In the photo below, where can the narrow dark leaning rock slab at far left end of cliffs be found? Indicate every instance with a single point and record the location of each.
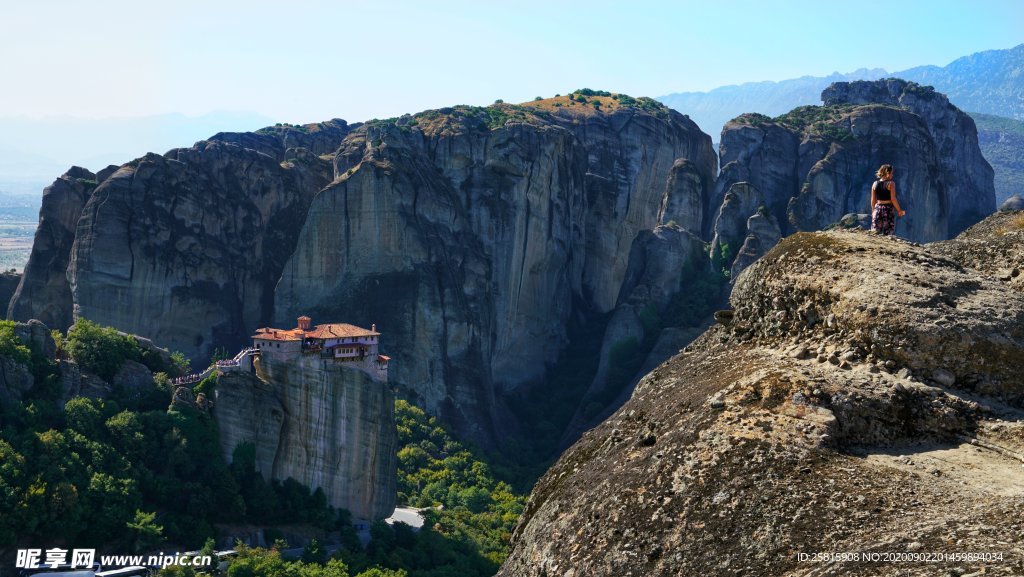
(45, 294)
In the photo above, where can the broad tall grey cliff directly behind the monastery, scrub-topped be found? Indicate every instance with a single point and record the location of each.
(472, 249)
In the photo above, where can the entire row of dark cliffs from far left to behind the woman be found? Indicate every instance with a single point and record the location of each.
(475, 237)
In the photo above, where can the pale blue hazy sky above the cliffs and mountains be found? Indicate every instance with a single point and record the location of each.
(304, 61)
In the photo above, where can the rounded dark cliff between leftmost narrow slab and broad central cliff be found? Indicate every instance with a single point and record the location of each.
(187, 249)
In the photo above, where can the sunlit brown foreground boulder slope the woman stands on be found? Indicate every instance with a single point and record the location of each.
(862, 399)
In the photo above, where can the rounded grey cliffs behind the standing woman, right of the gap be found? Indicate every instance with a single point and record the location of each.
(810, 168)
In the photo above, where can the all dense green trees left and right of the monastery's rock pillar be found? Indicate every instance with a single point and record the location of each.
(133, 474)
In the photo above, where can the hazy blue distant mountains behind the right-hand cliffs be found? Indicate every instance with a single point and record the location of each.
(990, 83)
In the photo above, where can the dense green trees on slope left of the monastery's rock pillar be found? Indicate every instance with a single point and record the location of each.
(126, 471)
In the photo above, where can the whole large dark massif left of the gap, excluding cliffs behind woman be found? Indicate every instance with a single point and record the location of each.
(468, 235)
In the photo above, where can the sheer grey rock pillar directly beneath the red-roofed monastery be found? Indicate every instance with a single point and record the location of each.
(319, 423)
